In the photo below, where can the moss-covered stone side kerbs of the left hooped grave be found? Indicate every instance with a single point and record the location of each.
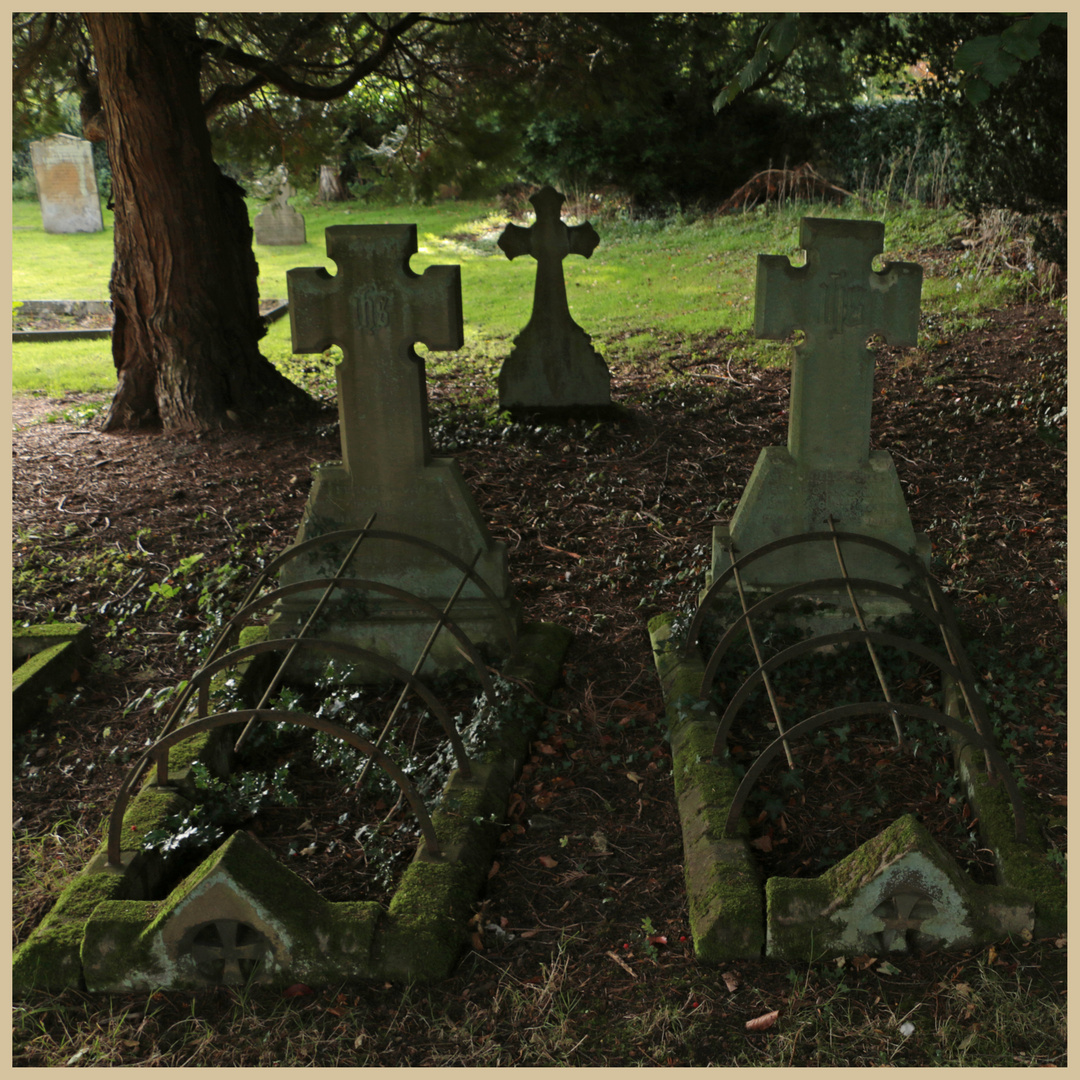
(418, 938)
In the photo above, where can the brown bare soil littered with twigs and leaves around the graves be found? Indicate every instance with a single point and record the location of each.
(606, 525)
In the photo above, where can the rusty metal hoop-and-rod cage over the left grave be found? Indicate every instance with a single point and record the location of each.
(222, 657)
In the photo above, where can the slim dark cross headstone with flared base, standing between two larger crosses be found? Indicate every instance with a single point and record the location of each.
(553, 366)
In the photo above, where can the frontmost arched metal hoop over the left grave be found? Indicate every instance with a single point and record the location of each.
(160, 749)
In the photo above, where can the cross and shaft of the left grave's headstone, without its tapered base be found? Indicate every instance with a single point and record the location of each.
(376, 309)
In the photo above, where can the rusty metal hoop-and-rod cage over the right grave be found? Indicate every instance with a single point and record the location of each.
(931, 605)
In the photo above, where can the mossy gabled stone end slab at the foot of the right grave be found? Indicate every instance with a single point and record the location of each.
(899, 893)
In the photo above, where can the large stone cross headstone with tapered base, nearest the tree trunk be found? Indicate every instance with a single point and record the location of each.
(376, 309)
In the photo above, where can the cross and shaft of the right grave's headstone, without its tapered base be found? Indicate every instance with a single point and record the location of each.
(839, 302)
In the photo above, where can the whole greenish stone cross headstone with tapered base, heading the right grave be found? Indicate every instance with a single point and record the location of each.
(828, 467)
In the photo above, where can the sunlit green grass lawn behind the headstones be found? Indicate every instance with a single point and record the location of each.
(646, 285)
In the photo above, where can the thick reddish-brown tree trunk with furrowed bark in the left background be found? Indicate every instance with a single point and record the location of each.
(184, 287)
